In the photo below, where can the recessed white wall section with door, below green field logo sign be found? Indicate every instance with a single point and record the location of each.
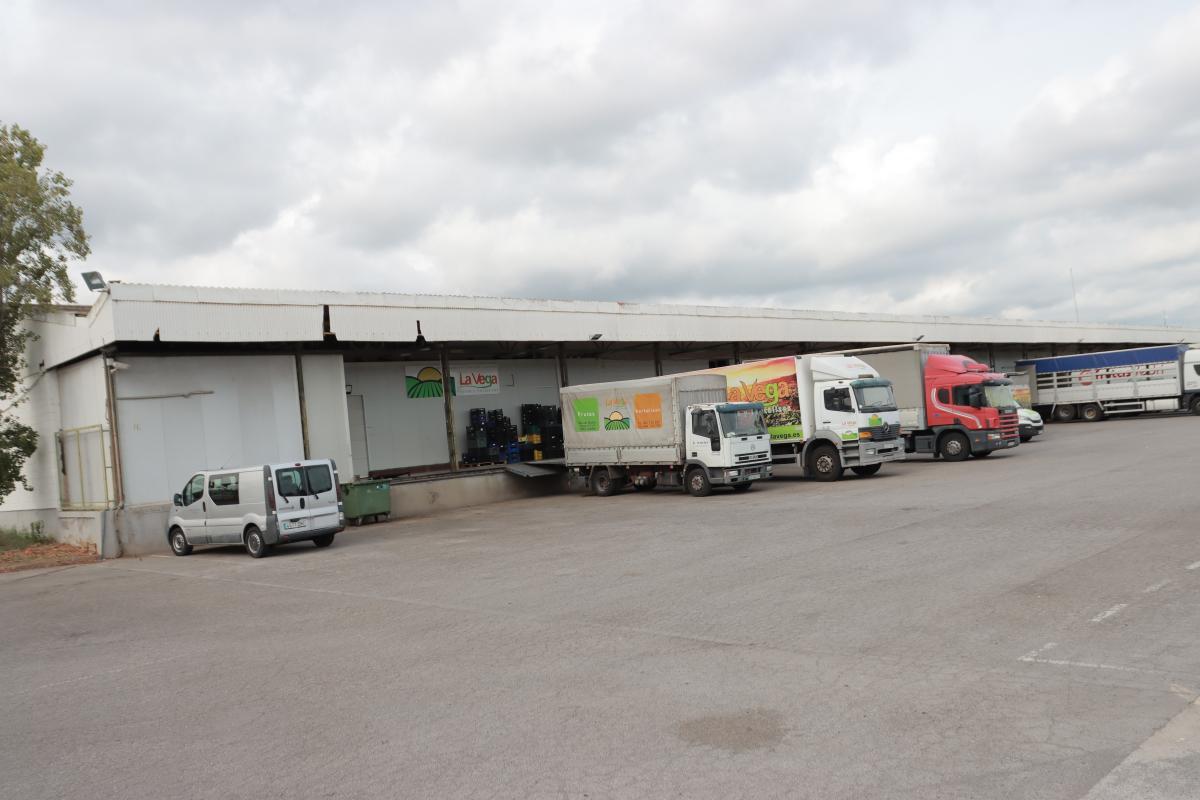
(400, 431)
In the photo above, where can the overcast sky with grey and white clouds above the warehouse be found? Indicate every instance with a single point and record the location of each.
(931, 158)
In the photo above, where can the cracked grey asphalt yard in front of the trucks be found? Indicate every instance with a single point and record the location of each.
(1011, 628)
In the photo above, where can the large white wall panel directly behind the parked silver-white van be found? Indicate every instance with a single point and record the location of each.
(182, 414)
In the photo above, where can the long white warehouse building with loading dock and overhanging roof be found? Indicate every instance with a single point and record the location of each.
(148, 386)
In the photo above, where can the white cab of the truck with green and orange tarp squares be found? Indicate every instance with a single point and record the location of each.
(728, 444)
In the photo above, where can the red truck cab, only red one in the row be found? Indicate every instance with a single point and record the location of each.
(970, 411)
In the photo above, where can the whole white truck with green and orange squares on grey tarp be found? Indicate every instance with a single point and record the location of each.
(668, 431)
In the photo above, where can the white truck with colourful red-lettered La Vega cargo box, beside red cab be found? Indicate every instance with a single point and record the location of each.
(825, 412)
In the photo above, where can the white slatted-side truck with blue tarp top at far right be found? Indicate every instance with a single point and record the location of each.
(1093, 386)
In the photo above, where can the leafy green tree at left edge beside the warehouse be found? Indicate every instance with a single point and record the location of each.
(41, 232)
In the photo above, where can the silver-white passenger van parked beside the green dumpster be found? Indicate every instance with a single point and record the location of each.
(259, 508)
